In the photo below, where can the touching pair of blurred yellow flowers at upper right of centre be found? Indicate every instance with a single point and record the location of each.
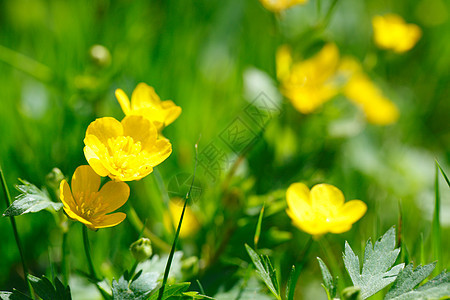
(310, 83)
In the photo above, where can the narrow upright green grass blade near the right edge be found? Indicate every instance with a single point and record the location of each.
(436, 229)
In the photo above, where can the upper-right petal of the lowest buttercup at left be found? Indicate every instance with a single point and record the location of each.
(114, 195)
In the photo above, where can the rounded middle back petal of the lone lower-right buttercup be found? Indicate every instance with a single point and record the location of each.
(326, 196)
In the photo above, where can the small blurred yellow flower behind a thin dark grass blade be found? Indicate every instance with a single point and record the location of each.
(190, 223)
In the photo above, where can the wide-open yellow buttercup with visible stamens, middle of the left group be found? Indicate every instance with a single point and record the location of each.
(126, 150)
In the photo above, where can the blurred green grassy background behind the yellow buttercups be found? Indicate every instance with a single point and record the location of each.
(61, 61)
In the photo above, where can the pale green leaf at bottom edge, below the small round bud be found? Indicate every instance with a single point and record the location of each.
(138, 288)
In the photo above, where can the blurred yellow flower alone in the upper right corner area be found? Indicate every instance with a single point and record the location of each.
(391, 32)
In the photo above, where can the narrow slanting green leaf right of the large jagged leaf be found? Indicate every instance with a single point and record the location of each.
(408, 279)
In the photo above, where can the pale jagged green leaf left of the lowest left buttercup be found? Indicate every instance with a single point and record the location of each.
(31, 200)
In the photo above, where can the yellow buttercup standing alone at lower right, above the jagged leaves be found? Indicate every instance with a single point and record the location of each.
(322, 209)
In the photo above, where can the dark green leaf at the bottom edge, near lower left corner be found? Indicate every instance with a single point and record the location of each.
(47, 291)
